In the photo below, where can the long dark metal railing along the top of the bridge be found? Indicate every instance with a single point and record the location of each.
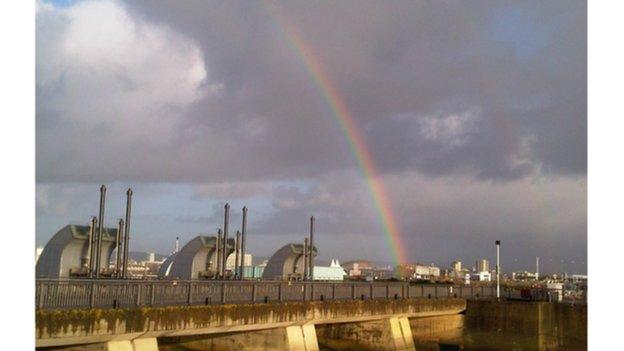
(75, 293)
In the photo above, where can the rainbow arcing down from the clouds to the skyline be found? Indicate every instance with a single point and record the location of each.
(353, 136)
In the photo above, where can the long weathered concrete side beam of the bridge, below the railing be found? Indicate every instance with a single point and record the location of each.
(82, 326)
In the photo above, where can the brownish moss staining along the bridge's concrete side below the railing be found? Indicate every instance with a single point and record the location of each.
(86, 322)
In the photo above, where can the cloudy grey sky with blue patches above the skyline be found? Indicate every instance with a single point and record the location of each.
(474, 113)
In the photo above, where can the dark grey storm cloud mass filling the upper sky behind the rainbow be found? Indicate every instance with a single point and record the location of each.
(259, 116)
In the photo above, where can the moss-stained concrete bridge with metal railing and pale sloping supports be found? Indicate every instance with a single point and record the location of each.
(147, 316)
